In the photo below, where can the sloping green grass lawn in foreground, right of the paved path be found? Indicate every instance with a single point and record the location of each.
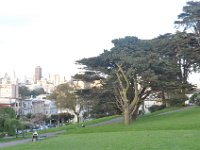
(177, 129)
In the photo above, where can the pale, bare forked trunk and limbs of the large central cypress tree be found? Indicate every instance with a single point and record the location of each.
(130, 107)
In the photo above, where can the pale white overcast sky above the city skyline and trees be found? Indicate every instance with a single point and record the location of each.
(55, 33)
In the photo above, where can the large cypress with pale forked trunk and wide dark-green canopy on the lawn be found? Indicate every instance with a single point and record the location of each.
(133, 64)
